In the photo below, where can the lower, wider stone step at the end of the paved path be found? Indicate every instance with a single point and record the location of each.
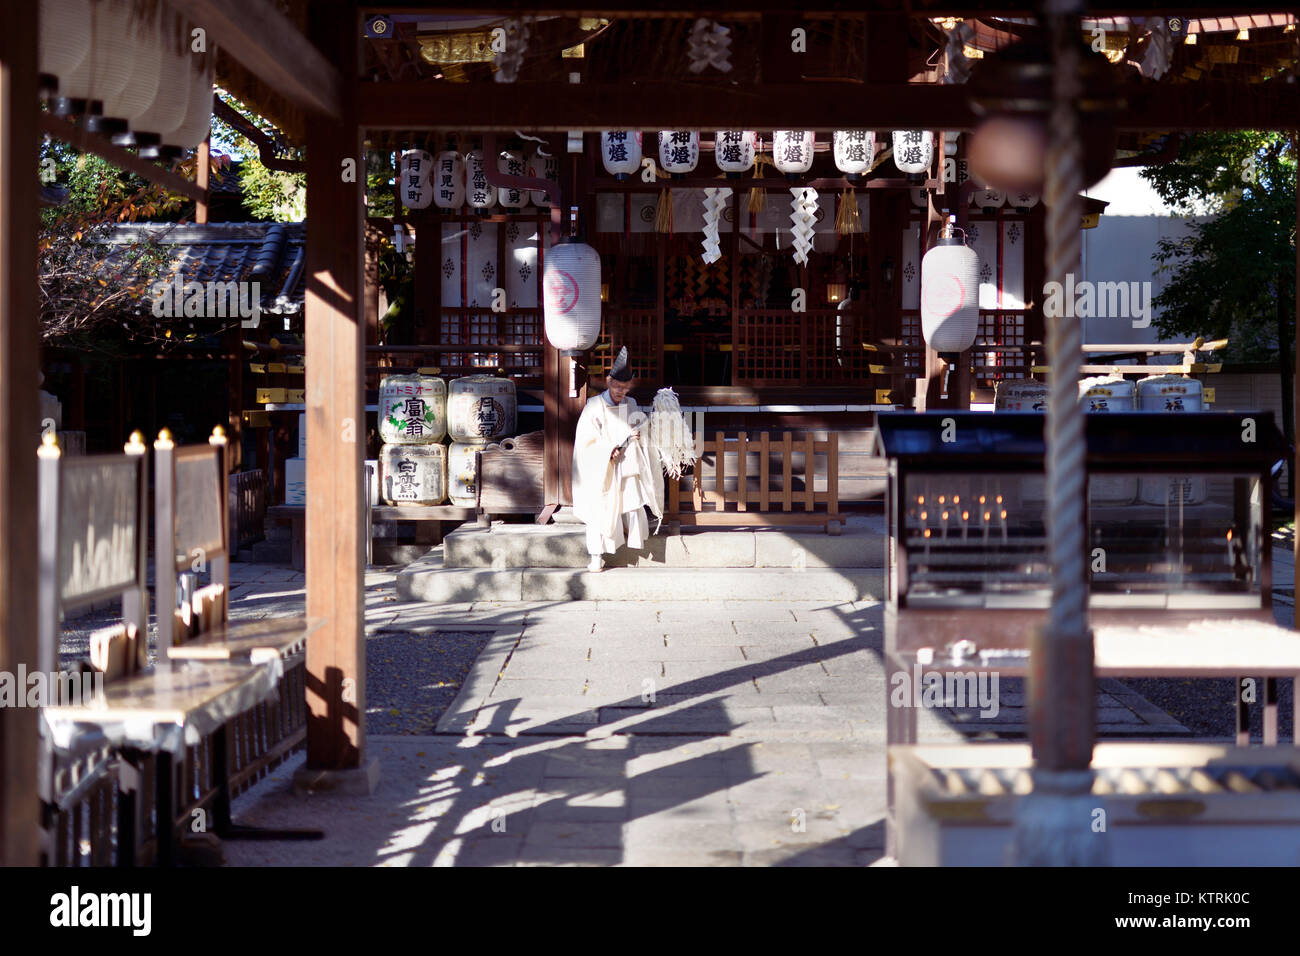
(430, 581)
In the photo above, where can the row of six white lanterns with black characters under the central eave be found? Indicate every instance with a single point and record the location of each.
(735, 152)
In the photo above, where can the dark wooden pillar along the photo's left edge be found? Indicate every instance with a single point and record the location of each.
(20, 351)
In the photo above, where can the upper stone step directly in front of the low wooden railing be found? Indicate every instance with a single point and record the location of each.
(508, 547)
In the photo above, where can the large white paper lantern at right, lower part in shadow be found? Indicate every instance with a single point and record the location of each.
(950, 295)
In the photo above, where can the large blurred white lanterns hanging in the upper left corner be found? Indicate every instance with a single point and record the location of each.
(128, 70)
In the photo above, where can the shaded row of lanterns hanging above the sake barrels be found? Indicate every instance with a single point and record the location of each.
(453, 180)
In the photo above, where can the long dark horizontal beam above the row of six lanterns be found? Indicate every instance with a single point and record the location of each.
(824, 106)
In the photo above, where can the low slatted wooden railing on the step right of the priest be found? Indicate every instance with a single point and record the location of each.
(761, 504)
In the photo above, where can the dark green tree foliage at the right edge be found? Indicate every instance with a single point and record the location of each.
(1234, 274)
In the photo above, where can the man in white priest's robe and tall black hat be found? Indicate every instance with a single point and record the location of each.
(616, 471)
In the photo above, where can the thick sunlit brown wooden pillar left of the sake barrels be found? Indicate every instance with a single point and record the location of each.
(336, 417)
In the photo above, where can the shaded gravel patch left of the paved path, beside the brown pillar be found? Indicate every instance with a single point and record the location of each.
(413, 677)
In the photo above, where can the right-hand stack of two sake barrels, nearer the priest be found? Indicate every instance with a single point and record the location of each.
(482, 410)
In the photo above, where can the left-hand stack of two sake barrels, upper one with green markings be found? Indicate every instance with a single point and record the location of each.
(413, 422)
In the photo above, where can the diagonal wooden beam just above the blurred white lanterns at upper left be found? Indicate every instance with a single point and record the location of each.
(271, 46)
